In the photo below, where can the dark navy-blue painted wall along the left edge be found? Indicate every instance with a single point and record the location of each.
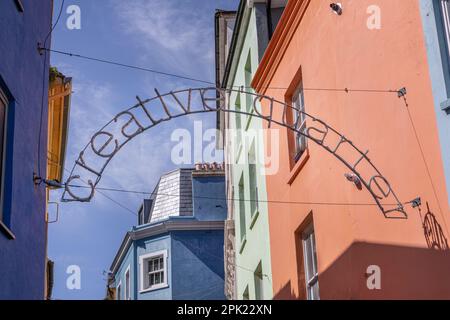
(22, 261)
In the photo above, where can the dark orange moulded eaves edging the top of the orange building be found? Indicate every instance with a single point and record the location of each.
(287, 26)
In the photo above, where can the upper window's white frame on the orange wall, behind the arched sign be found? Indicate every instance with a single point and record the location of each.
(299, 121)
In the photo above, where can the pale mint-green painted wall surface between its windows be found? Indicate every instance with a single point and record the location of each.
(254, 249)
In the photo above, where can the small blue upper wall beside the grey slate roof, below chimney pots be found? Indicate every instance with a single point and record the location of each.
(209, 198)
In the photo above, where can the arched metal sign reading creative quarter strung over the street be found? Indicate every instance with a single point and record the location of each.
(145, 114)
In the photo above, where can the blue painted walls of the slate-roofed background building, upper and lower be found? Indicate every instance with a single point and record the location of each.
(195, 267)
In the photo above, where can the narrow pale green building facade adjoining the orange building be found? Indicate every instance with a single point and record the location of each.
(247, 247)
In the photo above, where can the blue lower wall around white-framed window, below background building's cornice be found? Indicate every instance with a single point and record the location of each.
(195, 266)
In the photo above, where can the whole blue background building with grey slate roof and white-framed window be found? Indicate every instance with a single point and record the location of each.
(176, 251)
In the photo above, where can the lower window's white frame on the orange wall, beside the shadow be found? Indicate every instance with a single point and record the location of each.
(311, 279)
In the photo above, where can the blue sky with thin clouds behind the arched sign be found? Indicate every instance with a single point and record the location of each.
(169, 35)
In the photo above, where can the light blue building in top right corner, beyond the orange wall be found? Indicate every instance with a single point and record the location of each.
(436, 24)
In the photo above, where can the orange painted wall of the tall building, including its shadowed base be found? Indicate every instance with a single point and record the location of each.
(337, 52)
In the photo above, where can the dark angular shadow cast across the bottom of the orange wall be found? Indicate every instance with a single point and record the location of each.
(404, 273)
